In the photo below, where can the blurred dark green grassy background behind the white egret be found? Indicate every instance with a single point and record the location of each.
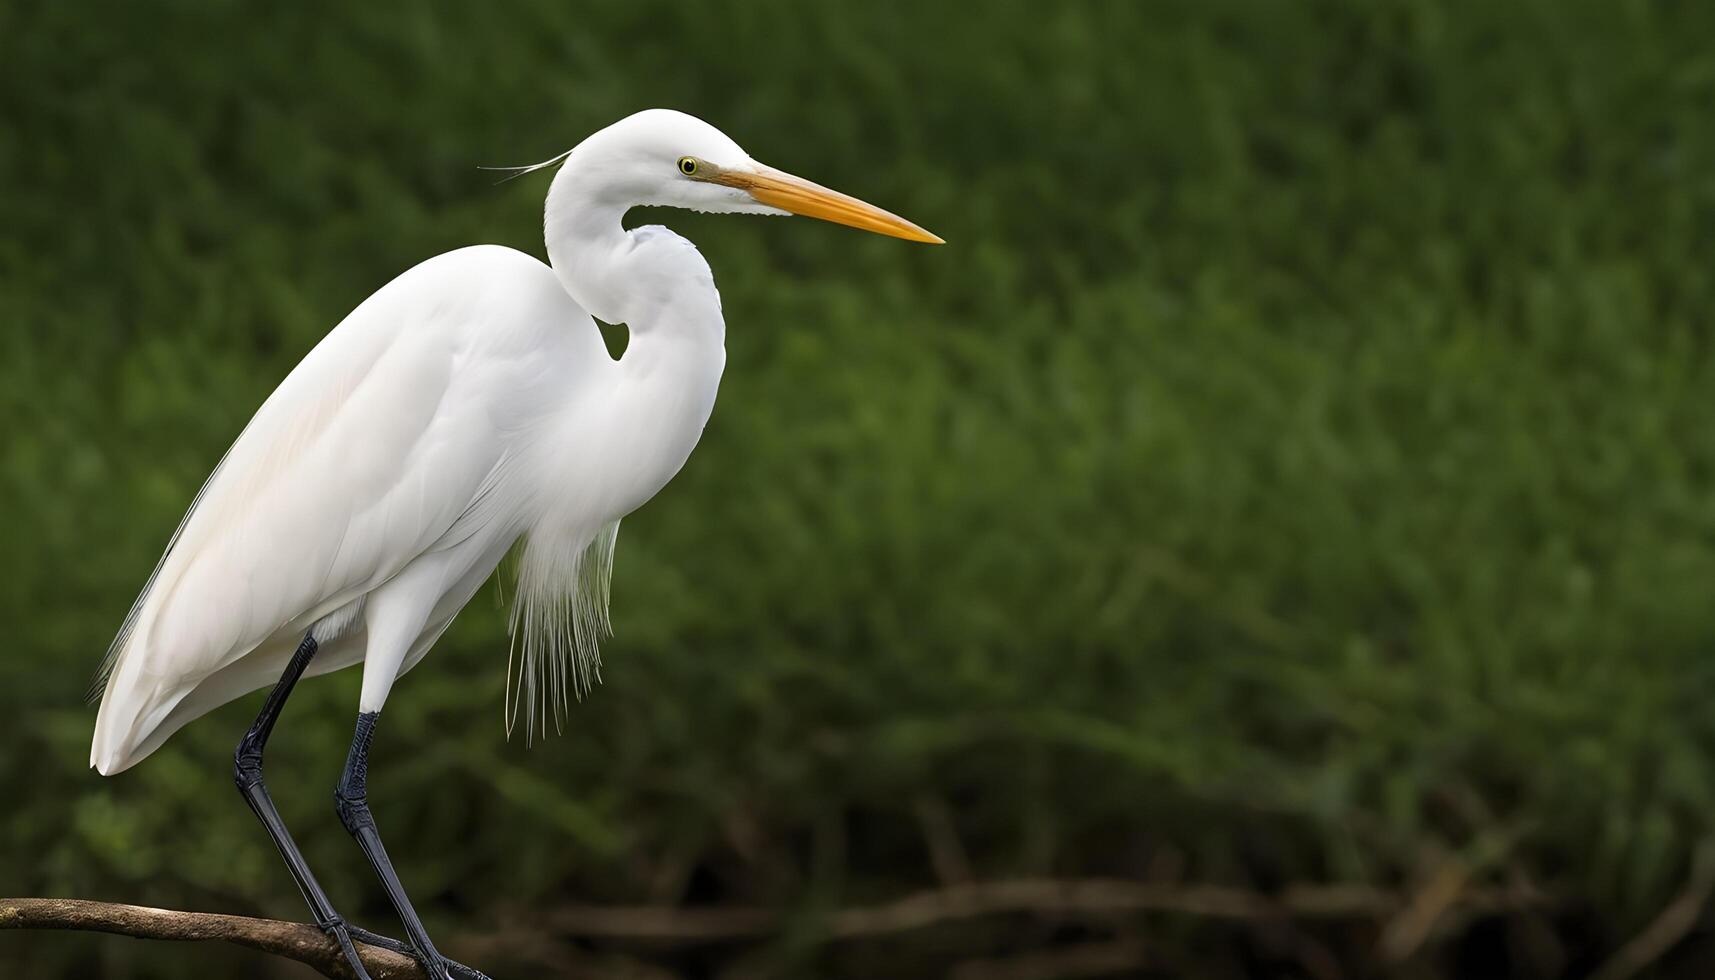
(1294, 483)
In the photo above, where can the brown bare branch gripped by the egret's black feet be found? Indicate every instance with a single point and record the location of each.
(299, 941)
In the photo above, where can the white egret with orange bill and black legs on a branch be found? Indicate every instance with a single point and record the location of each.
(466, 406)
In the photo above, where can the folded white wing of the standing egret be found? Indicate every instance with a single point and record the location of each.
(364, 459)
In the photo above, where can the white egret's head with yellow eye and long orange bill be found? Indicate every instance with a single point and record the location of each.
(670, 159)
